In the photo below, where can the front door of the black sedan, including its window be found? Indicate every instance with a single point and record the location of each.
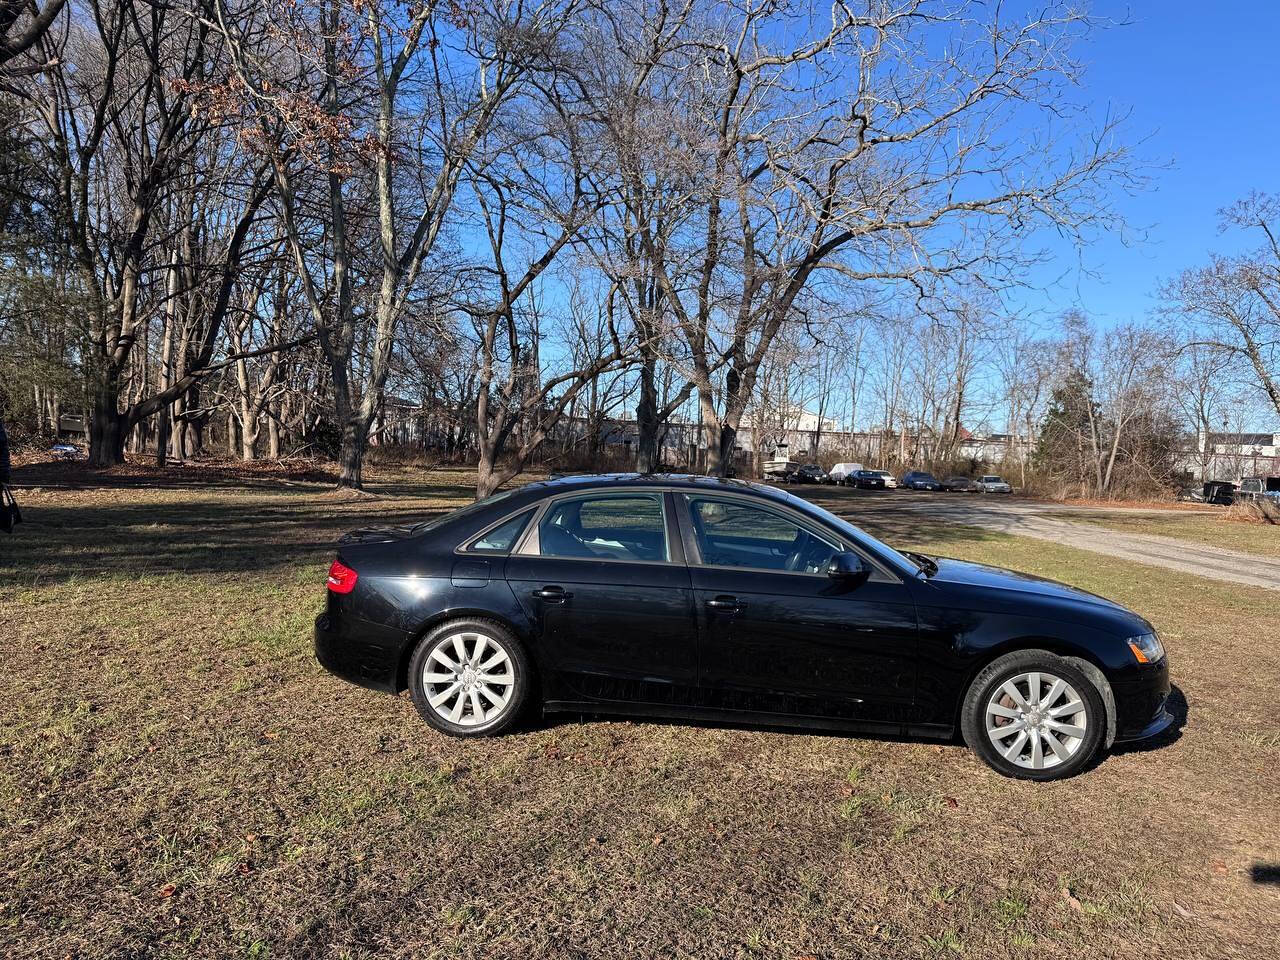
(776, 634)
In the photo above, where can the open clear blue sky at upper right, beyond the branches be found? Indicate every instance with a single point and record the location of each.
(1203, 83)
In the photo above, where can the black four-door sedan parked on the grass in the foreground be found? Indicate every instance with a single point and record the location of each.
(726, 601)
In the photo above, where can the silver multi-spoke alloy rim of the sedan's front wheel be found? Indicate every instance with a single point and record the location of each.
(1036, 720)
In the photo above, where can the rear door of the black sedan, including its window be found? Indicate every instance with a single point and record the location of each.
(604, 579)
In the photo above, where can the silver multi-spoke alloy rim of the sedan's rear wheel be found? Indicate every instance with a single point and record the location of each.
(469, 679)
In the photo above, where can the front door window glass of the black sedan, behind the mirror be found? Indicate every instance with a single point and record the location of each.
(737, 534)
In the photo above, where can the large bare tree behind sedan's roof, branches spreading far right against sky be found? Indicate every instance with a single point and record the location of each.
(861, 149)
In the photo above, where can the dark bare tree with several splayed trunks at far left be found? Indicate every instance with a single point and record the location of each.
(127, 144)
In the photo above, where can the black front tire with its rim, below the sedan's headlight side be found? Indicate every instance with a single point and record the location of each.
(1028, 752)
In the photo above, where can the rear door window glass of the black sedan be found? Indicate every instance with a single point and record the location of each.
(628, 528)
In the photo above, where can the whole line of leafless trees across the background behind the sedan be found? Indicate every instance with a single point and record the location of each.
(285, 218)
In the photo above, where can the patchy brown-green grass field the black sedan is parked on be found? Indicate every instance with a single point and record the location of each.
(180, 779)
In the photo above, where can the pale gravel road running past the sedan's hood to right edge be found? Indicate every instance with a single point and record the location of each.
(1036, 520)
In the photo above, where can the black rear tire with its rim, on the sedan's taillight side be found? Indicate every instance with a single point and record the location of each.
(438, 670)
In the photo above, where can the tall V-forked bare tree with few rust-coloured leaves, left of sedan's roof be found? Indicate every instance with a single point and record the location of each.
(406, 99)
